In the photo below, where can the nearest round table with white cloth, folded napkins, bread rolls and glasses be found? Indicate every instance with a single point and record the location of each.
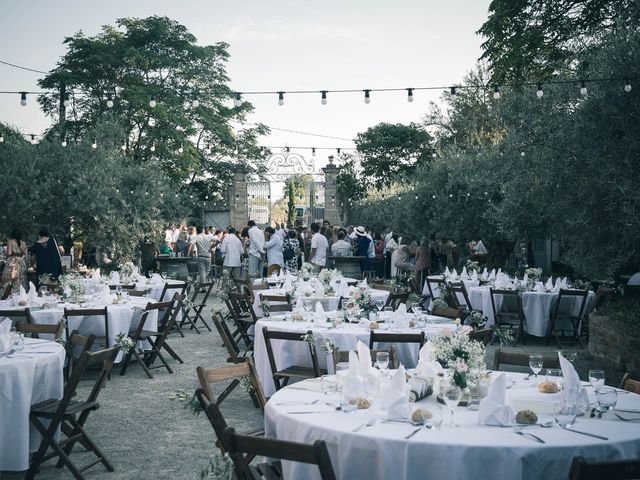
(511, 428)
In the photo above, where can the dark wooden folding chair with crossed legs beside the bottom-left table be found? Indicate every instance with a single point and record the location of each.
(70, 416)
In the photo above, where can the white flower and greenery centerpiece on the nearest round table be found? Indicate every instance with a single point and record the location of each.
(463, 357)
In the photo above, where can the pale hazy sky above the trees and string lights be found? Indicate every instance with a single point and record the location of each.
(276, 45)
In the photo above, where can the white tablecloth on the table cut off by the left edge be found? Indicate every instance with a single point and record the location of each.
(23, 382)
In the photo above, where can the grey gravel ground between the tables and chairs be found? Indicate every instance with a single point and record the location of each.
(146, 435)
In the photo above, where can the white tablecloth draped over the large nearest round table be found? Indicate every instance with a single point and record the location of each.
(469, 452)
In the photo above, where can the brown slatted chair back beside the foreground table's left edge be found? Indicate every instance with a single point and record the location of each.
(207, 376)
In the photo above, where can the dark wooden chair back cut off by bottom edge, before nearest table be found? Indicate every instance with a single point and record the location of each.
(242, 449)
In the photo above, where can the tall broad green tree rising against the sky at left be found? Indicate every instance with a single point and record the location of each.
(156, 59)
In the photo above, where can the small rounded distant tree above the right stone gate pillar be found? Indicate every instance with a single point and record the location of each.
(393, 152)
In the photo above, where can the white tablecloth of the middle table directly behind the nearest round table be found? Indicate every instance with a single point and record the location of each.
(344, 338)
